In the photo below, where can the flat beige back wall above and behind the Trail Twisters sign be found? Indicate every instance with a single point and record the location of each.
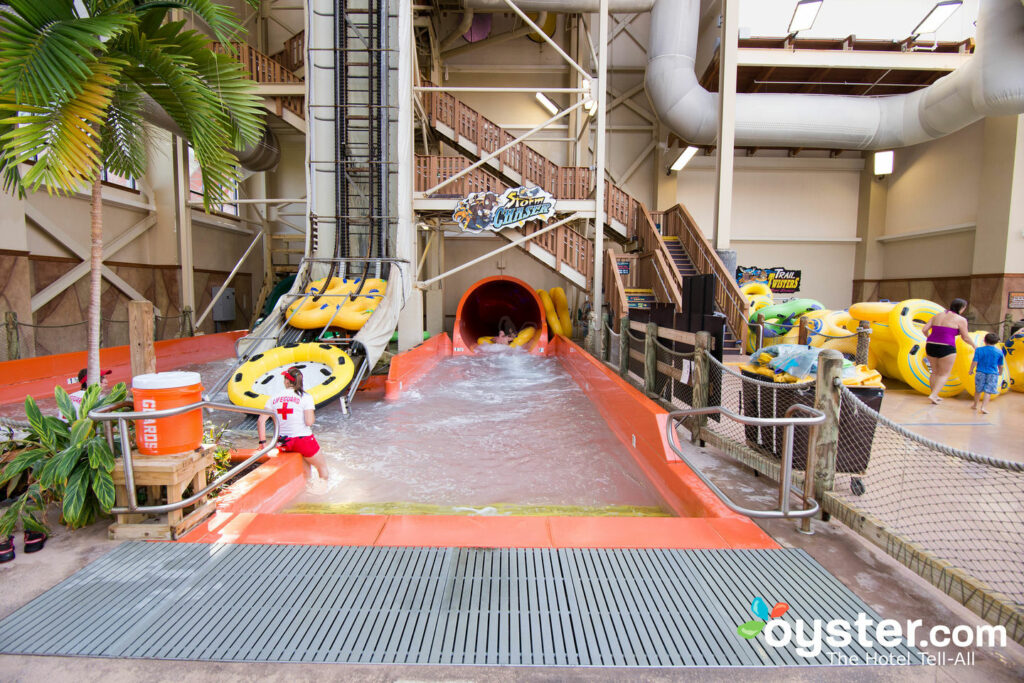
(799, 214)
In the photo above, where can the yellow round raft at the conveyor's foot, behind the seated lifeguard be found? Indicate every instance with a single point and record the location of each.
(260, 377)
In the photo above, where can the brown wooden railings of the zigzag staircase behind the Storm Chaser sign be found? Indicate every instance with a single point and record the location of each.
(576, 183)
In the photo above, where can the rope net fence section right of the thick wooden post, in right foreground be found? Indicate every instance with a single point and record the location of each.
(964, 508)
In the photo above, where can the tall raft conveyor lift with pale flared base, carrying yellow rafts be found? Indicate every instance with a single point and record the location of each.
(353, 228)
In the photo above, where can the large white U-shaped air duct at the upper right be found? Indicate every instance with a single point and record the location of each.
(991, 83)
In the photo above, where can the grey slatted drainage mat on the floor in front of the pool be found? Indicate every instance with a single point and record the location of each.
(434, 606)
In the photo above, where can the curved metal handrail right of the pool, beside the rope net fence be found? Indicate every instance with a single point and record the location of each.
(789, 423)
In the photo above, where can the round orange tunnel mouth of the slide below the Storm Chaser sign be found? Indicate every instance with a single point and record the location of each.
(487, 303)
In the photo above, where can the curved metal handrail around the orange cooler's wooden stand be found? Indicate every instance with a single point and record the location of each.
(106, 416)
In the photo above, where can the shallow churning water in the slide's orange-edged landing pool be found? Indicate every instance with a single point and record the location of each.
(500, 428)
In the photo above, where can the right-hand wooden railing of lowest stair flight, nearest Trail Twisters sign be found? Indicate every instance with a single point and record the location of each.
(678, 222)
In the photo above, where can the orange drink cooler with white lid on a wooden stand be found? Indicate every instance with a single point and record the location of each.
(158, 392)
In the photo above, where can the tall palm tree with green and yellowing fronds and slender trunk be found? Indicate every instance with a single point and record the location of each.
(75, 79)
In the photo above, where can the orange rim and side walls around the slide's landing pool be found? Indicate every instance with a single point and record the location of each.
(247, 514)
